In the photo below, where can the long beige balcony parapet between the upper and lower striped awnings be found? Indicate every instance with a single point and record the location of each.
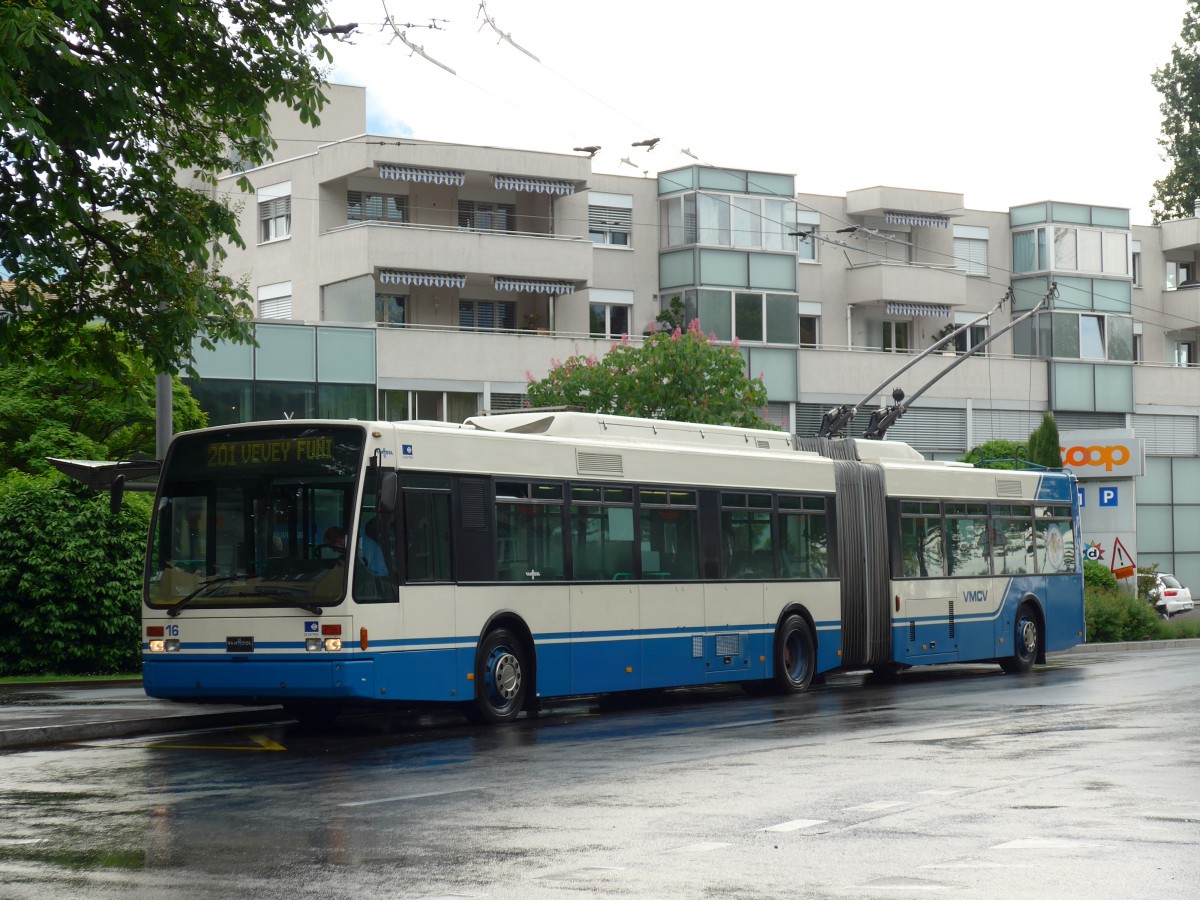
(363, 248)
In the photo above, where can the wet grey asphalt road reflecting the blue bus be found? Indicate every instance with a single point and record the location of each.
(1082, 781)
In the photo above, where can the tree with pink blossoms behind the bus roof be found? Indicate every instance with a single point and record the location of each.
(682, 376)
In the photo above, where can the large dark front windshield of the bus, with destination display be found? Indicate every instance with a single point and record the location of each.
(259, 517)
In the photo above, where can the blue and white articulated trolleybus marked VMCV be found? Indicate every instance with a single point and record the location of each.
(539, 555)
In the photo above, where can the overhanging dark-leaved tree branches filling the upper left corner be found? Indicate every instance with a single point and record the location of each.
(107, 106)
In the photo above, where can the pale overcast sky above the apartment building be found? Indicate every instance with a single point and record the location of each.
(1004, 101)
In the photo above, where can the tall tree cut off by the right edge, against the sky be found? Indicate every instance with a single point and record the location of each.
(1179, 83)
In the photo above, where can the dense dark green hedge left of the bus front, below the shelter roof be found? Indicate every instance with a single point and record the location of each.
(70, 579)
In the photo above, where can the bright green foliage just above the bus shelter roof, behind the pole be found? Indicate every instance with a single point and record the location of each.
(73, 409)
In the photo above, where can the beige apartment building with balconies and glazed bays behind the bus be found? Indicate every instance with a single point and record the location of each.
(404, 279)
